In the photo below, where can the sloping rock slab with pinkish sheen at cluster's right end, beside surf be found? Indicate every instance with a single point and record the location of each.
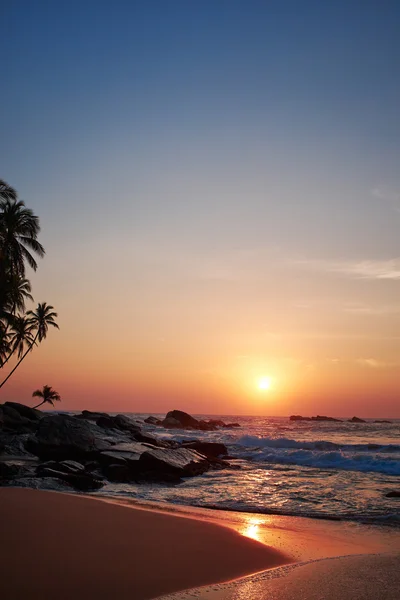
(180, 461)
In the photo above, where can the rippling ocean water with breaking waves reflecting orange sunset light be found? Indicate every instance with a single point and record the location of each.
(315, 469)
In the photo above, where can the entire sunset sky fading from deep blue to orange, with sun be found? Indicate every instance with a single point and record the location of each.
(218, 187)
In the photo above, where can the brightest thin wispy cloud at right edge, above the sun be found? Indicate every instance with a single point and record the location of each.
(361, 269)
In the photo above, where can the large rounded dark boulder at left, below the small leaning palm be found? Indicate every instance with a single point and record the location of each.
(65, 437)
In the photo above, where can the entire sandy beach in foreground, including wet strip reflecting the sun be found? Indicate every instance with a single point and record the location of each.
(69, 546)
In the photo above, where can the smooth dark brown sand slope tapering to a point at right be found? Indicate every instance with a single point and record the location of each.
(65, 546)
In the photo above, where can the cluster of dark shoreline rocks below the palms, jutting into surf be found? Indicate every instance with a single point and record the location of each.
(82, 452)
